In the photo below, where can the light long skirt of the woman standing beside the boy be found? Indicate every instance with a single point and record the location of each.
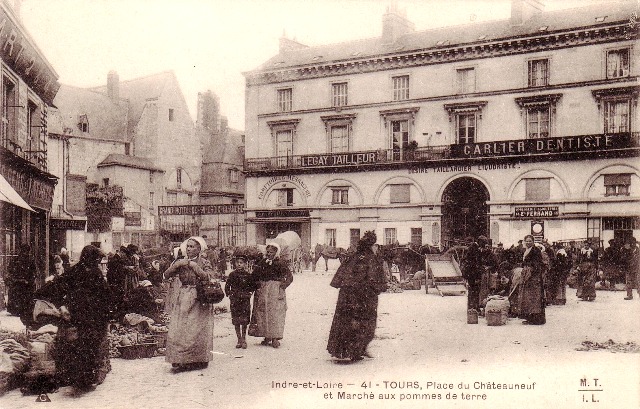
(269, 311)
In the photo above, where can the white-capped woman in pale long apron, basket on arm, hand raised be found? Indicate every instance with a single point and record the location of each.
(190, 336)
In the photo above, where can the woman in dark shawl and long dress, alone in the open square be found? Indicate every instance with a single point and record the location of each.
(360, 279)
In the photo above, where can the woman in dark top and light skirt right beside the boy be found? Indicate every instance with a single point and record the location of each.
(270, 300)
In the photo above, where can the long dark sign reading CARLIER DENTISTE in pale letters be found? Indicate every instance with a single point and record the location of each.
(580, 143)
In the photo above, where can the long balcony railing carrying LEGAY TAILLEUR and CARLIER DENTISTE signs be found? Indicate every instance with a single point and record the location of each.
(544, 147)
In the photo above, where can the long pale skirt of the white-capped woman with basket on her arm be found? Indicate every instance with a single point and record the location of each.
(190, 336)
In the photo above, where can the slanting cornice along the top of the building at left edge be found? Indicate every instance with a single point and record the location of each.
(16, 51)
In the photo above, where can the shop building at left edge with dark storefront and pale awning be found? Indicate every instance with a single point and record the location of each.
(28, 87)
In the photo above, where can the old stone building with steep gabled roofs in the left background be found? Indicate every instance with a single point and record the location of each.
(136, 135)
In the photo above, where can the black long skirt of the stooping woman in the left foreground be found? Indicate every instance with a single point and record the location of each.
(82, 361)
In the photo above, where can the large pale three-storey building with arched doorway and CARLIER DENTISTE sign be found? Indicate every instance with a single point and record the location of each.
(502, 128)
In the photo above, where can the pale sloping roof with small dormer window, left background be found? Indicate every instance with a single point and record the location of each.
(107, 120)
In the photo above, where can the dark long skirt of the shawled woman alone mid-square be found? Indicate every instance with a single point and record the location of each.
(354, 323)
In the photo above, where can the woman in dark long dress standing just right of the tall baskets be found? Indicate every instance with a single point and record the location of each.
(532, 292)
